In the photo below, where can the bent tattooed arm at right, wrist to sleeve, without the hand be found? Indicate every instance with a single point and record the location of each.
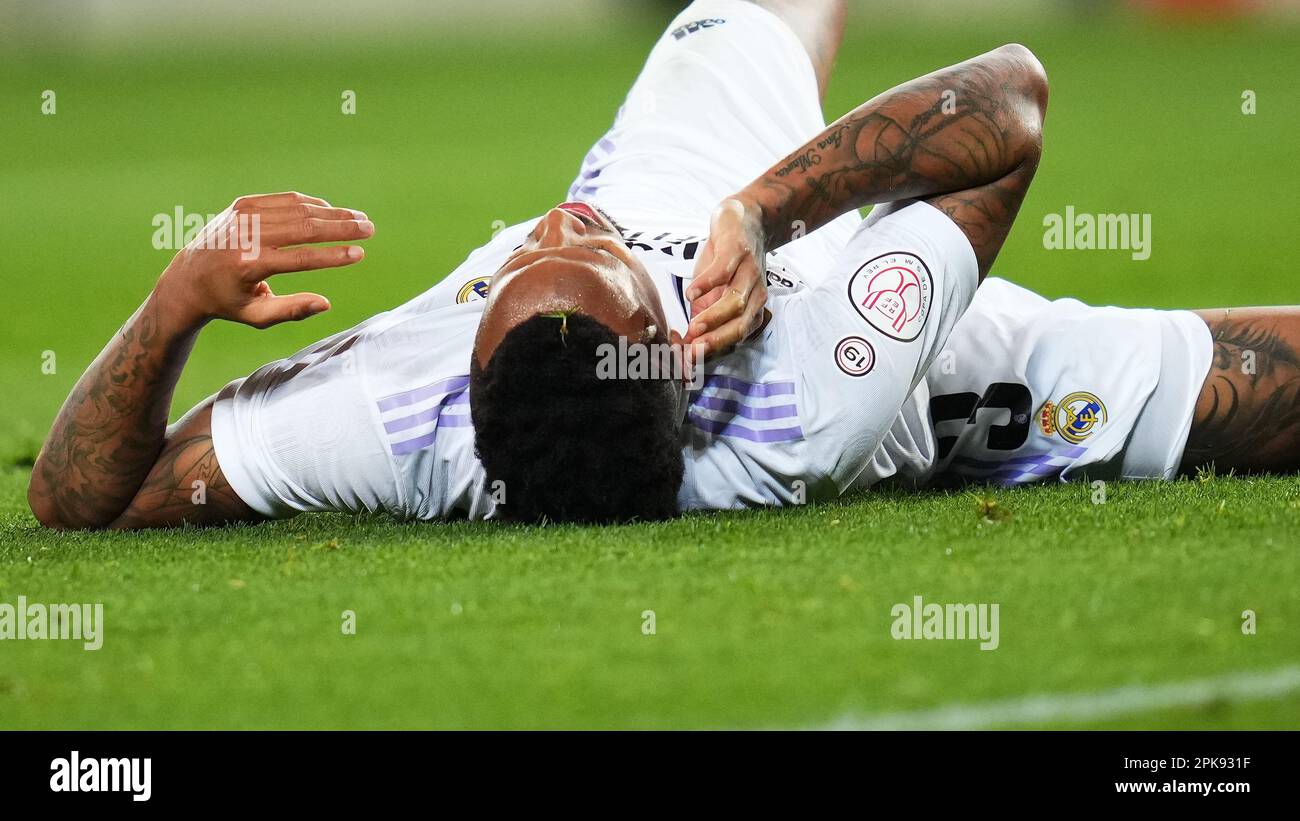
(964, 137)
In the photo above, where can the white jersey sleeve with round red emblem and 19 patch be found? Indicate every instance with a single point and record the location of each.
(866, 335)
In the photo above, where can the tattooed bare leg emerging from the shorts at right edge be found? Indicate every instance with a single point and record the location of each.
(1249, 411)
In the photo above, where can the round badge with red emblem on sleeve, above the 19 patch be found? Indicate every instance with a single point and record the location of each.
(894, 294)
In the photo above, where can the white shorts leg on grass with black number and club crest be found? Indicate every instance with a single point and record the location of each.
(1032, 390)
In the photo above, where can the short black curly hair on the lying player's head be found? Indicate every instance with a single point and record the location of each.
(570, 446)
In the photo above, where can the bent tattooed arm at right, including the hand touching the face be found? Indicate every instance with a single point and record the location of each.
(967, 138)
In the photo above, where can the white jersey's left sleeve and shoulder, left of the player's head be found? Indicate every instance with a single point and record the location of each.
(372, 419)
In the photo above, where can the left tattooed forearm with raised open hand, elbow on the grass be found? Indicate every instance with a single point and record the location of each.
(112, 429)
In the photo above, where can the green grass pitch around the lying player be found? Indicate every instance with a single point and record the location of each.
(773, 619)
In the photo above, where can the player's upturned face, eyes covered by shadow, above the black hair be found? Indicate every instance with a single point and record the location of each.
(574, 262)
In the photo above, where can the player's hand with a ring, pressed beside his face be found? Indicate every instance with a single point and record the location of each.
(729, 292)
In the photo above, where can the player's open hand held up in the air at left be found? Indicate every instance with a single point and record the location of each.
(223, 272)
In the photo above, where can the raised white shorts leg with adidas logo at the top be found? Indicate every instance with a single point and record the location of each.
(727, 92)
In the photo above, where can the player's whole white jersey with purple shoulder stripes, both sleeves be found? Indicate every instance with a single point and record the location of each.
(378, 418)
